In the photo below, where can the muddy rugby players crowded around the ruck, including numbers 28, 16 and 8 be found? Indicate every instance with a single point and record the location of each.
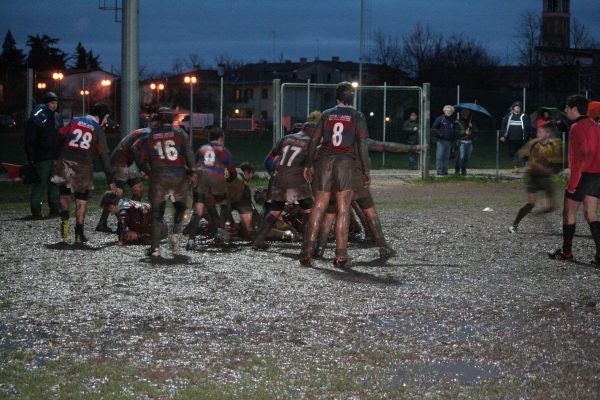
(319, 180)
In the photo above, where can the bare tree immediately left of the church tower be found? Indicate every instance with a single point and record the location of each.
(529, 38)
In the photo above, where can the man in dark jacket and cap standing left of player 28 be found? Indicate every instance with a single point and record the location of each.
(42, 146)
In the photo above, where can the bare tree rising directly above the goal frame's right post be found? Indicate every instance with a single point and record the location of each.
(419, 50)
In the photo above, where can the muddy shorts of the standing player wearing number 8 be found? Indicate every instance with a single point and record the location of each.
(334, 173)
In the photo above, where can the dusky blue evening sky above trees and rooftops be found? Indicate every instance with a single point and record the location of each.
(250, 30)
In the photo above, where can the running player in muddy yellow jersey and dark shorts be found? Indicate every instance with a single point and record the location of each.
(544, 159)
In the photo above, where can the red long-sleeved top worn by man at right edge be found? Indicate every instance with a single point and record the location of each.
(584, 150)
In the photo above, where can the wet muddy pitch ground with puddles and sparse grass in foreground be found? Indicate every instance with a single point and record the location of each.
(466, 310)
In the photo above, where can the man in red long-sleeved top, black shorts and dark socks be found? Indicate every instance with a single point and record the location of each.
(583, 185)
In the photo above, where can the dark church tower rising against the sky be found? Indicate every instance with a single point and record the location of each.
(556, 23)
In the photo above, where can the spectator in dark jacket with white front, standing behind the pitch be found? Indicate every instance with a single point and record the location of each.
(515, 130)
